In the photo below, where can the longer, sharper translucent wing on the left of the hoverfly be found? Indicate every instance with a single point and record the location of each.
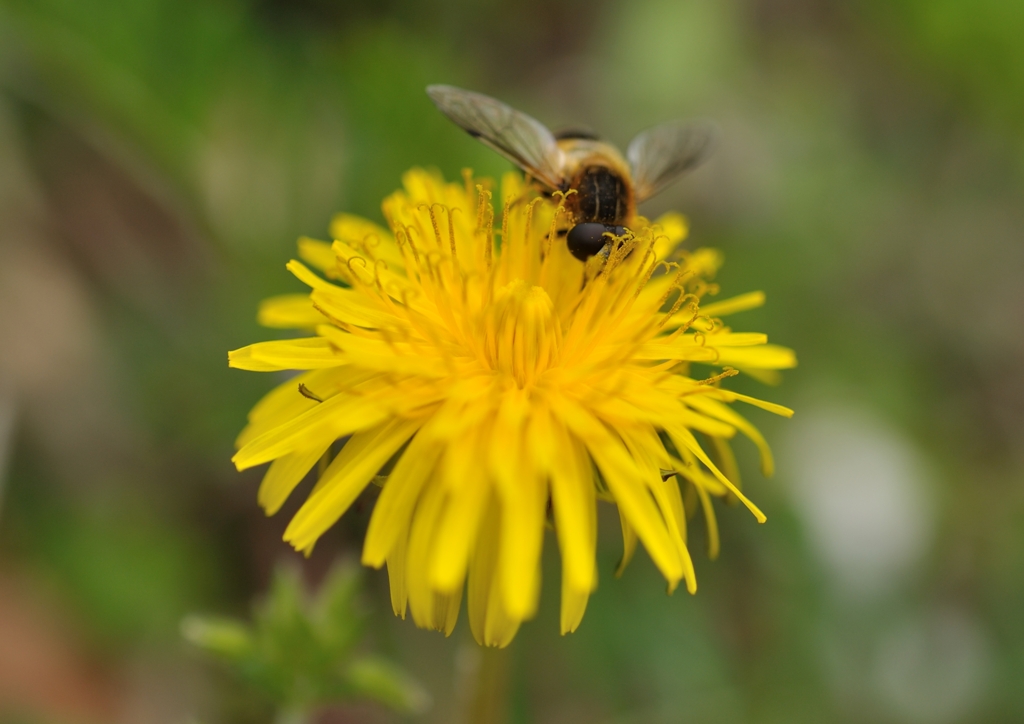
(516, 136)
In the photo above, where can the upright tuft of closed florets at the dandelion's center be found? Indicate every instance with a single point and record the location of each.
(524, 336)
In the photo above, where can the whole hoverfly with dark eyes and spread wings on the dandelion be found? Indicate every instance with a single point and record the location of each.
(608, 187)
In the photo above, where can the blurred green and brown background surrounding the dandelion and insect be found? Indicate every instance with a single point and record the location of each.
(159, 159)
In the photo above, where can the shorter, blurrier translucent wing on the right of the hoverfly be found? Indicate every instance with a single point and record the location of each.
(661, 155)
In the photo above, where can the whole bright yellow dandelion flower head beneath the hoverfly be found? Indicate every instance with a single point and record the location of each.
(503, 386)
